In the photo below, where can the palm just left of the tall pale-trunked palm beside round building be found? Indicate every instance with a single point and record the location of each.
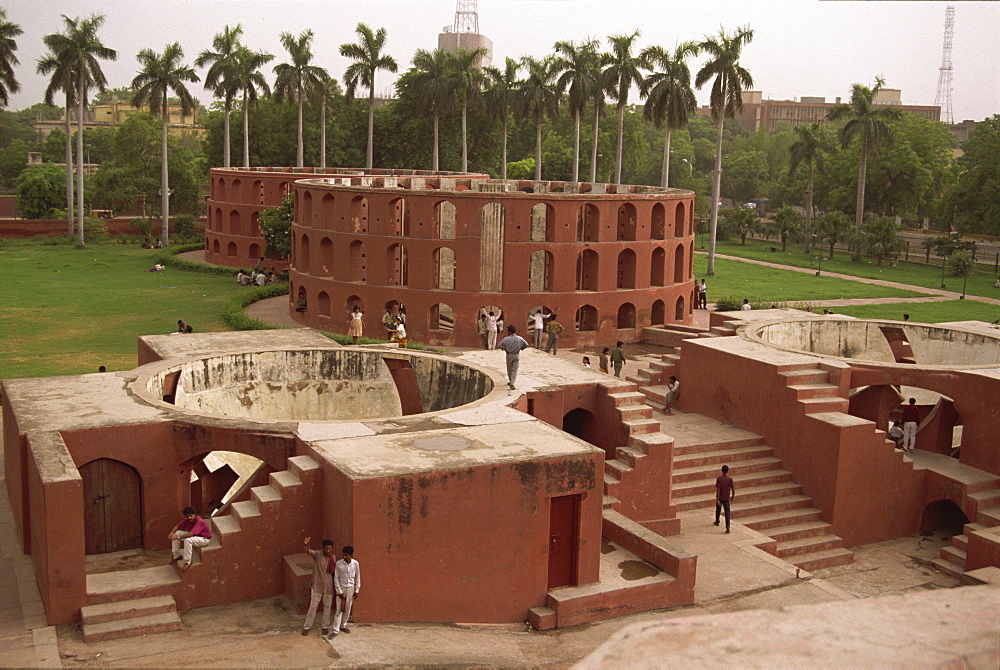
(669, 98)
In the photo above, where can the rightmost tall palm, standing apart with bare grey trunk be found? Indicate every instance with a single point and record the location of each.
(869, 122)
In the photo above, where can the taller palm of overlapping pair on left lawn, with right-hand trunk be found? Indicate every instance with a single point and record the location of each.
(74, 55)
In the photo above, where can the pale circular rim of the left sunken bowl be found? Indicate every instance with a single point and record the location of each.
(139, 386)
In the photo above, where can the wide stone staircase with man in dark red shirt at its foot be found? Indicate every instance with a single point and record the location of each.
(767, 499)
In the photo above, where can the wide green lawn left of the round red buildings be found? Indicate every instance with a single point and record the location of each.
(67, 311)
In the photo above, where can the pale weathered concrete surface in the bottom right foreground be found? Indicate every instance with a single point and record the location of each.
(923, 630)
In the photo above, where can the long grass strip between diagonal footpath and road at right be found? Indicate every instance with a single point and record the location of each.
(980, 283)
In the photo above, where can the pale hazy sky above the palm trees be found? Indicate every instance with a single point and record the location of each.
(800, 47)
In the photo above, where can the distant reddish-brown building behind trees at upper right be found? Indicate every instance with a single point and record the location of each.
(761, 114)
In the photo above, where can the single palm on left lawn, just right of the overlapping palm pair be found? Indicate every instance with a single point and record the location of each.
(159, 75)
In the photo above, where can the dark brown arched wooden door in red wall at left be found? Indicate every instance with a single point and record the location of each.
(112, 506)
